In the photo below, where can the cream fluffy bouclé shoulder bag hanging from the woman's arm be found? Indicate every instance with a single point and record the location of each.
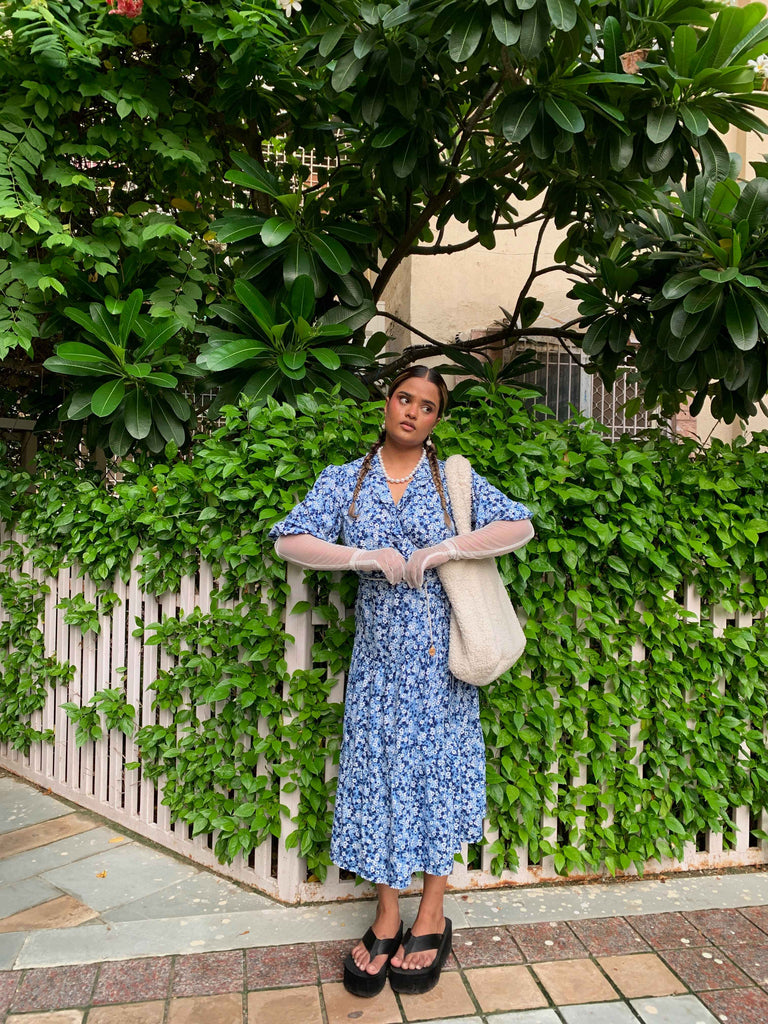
(486, 635)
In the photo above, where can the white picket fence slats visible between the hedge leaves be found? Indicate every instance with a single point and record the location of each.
(95, 777)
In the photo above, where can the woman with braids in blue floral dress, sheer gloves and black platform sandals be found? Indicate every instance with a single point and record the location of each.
(412, 772)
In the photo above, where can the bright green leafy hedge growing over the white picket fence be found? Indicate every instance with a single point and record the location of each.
(622, 529)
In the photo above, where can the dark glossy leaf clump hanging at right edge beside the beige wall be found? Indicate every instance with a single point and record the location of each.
(691, 283)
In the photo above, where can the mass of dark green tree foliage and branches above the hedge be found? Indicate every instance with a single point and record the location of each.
(162, 148)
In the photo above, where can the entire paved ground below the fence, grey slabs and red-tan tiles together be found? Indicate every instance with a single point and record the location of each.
(75, 892)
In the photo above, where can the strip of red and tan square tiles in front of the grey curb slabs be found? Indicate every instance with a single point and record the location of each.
(691, 968)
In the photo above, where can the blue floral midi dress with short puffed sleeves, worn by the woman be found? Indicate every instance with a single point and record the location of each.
(412, 771)
